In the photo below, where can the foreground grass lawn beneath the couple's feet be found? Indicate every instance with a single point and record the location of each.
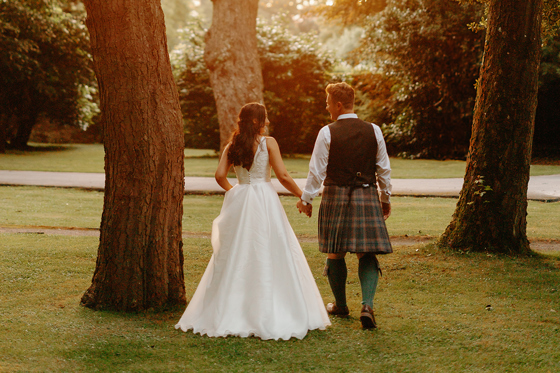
(437, 312)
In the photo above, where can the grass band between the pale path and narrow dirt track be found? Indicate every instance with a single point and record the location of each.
(58, 207)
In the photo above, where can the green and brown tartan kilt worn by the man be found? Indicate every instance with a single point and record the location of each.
(352, 224)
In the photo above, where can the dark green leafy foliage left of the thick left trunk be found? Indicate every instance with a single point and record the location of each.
(45, 64)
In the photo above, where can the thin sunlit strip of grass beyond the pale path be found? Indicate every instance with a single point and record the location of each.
(199, 162)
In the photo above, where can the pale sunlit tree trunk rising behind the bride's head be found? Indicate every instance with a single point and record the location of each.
(231, 56)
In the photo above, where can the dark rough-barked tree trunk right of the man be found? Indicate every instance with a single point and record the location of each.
(492, 208)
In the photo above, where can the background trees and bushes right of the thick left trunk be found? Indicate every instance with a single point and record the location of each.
(416, 74)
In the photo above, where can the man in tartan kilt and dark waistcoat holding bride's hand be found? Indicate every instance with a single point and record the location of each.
(350, 157)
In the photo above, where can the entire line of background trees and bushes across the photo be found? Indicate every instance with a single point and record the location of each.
(415, 71)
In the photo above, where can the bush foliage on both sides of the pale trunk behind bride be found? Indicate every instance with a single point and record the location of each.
(294, 73)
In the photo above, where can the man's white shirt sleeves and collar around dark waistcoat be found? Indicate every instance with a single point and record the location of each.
(320, 159)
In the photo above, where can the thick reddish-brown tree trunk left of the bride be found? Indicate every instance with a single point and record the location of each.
(140, 258)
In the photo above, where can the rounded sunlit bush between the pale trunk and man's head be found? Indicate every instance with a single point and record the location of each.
(294, 74)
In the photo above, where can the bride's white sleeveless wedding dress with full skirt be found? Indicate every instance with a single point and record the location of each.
(258, 281)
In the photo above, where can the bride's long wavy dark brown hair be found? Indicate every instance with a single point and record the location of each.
(241, 151)
